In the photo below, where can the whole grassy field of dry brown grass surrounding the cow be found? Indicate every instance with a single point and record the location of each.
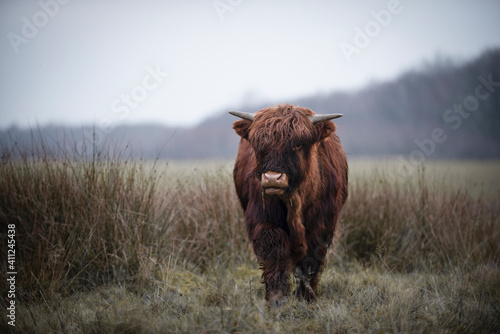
(114, 246)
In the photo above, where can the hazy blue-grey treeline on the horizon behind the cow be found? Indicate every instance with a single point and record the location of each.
(442, 109)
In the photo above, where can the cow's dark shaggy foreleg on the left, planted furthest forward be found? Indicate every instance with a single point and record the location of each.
(272, 247)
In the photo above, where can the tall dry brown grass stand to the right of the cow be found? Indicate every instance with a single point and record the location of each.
(409, 226)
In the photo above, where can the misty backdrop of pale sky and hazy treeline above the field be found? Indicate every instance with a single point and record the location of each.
(418, 79)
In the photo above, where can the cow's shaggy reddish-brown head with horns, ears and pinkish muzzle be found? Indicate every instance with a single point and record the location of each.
(284, 140)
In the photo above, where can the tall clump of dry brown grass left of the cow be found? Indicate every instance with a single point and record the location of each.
(83, 221)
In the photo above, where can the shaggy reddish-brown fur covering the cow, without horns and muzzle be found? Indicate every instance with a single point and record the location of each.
(291, 231)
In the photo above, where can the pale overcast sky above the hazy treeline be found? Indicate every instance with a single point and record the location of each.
(178, 62)
